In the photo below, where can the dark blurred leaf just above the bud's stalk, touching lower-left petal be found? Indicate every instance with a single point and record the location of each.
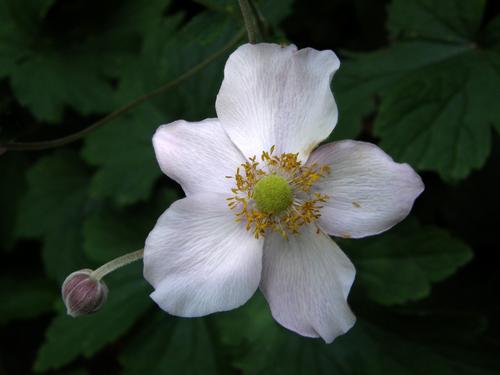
(110, 233)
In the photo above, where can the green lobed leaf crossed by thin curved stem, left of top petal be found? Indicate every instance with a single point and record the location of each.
(123, 150)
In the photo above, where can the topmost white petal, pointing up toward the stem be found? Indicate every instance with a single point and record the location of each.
(273, 95)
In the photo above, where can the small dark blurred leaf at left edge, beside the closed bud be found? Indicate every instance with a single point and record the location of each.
(25, 297)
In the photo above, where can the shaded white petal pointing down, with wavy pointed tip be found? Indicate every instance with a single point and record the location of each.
(306, 280)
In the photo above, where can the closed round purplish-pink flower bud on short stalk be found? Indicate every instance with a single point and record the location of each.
(83, 294)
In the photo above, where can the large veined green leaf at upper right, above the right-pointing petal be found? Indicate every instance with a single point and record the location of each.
(438, 122)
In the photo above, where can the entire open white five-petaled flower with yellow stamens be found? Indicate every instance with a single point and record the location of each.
(261, 200)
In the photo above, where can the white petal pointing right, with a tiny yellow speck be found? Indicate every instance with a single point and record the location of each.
(369, 192)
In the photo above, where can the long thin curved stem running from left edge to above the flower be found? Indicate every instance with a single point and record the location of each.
(43, 145)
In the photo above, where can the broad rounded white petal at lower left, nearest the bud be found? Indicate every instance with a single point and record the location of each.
(200, 260)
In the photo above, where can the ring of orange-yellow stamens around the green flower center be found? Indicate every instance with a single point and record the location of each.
(305, 207)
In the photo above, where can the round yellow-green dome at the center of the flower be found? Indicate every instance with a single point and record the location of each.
(272, 194)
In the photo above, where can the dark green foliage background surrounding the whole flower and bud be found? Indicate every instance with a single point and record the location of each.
(429, 95)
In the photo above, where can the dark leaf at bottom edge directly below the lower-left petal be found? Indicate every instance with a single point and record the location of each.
(171, 345)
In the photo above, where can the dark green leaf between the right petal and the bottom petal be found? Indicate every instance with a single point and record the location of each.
(401, 265)
